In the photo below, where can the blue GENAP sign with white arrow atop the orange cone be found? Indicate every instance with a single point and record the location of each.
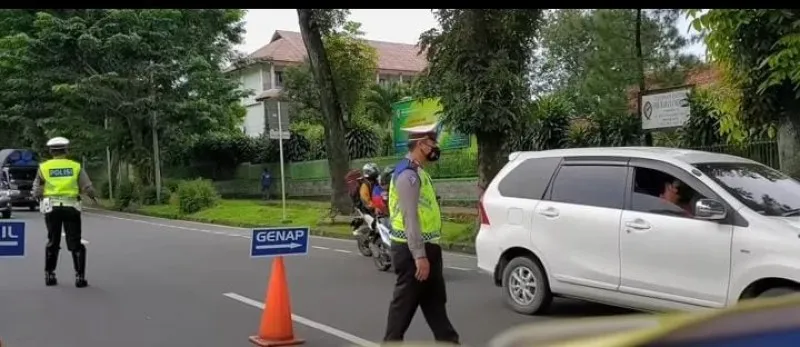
(273, 242)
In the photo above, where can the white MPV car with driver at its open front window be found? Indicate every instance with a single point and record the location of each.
(647, 228)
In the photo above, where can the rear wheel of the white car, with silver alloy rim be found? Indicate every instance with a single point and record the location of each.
(521, 300)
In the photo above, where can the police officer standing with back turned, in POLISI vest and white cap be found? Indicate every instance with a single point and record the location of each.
(58, 186)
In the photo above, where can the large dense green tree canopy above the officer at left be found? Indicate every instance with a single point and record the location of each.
(69, 71)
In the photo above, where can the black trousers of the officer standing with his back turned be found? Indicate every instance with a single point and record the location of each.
(69, 219)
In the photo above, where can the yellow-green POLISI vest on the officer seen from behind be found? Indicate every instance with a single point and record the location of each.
(61, 180)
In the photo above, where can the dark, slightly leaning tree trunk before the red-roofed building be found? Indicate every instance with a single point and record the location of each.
(314, 24)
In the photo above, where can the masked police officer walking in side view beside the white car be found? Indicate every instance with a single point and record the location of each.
(417, 258)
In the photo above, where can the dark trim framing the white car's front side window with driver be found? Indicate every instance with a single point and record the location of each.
(734, 218)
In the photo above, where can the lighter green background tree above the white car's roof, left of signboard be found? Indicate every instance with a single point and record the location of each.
(592, 56)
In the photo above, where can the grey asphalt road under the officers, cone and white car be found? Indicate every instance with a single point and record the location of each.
(156, 282)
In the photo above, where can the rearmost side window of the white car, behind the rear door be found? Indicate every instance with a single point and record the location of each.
(529, 179)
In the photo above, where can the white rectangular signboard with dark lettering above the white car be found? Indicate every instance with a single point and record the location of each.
(665, 110)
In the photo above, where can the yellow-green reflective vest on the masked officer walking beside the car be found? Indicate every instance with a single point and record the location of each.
(430, 216)
